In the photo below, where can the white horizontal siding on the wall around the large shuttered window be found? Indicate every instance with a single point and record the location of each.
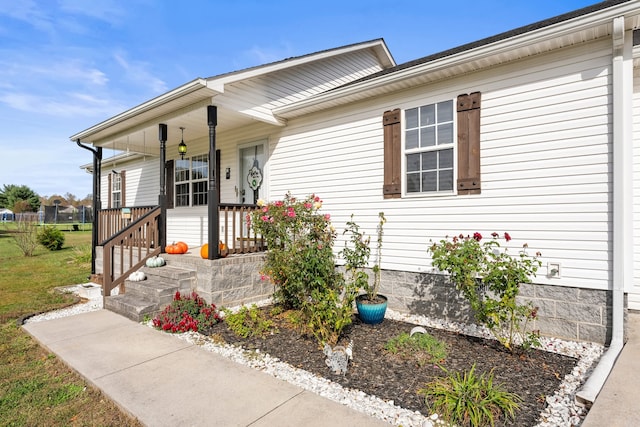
(545, 166)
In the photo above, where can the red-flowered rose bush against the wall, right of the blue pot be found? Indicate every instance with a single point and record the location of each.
(490, 280)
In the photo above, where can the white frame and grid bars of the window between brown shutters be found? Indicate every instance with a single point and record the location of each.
(419, 150)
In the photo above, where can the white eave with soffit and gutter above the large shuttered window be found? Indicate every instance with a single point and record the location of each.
(579, 26)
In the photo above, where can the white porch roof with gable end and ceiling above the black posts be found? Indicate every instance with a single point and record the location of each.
(238, 100)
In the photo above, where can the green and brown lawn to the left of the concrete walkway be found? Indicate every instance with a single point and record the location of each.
(36, 388)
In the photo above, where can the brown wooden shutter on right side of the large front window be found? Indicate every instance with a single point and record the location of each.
(469, 143)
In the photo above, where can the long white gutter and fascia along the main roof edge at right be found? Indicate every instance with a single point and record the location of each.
(555, 31)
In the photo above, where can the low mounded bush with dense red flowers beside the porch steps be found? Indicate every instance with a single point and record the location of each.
(187, 313)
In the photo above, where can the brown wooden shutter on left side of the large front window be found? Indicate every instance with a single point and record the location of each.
(392, 151)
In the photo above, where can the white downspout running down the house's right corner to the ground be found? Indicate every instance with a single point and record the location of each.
(622, 74)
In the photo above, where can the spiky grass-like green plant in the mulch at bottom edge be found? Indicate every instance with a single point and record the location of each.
(470, 400)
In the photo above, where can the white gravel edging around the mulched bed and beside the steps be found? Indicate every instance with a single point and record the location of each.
(561, 410)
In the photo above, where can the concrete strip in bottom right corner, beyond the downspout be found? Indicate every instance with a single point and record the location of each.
(617, 404)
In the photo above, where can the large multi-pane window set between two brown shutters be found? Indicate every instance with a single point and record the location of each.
(429, 148)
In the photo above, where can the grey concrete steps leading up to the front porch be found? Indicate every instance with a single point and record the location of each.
(149, 297)
